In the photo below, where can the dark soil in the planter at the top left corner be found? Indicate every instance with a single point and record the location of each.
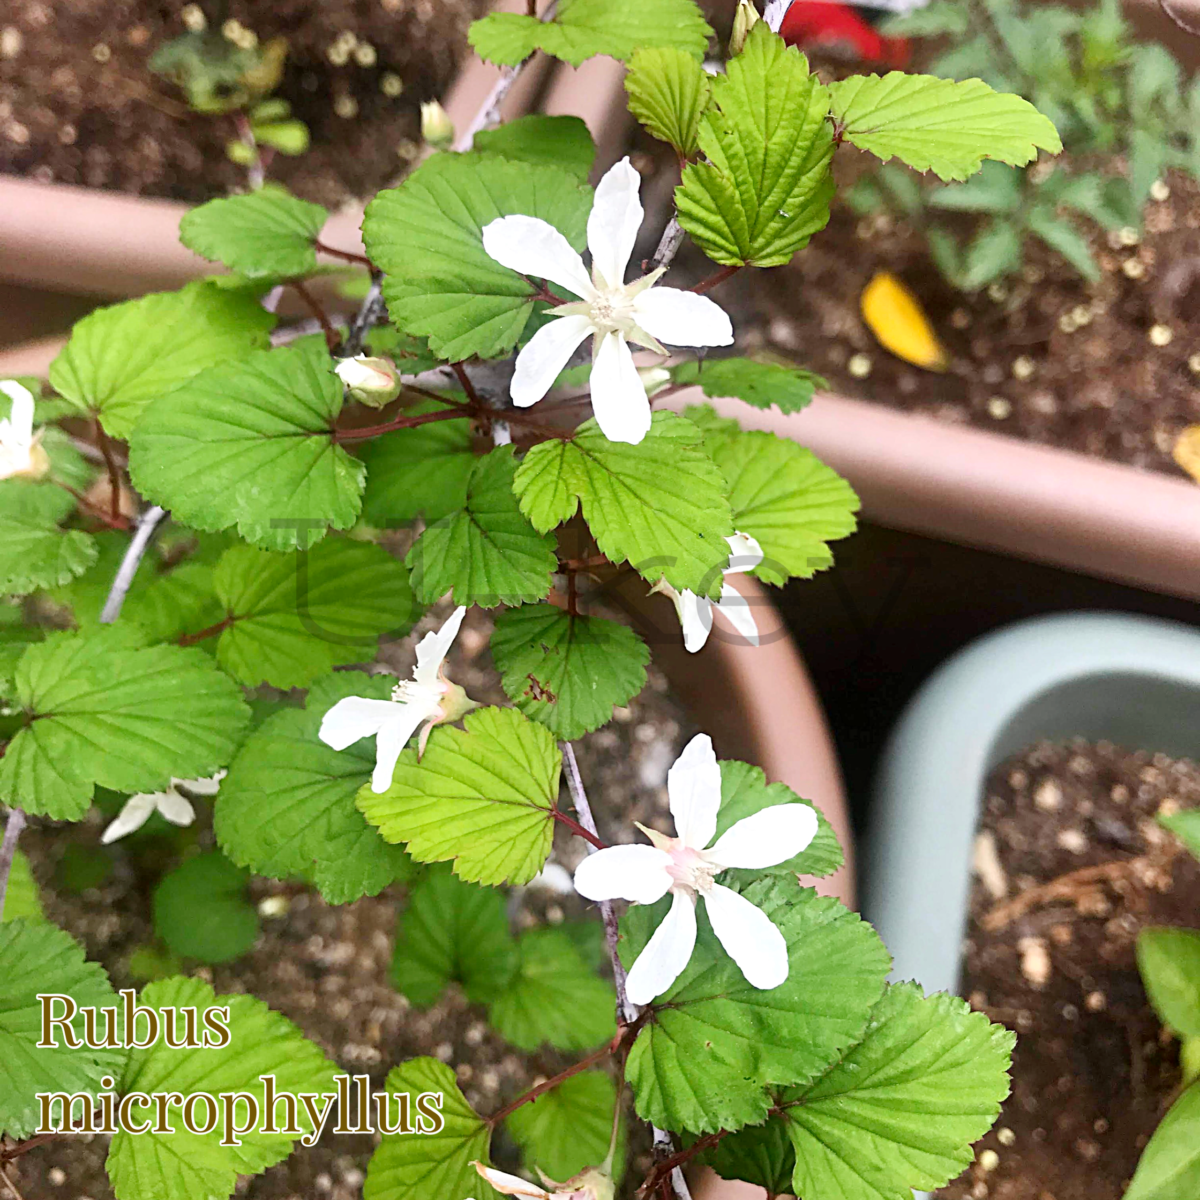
(79, 104)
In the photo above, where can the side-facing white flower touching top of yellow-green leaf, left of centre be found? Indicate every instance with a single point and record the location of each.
(429, 699)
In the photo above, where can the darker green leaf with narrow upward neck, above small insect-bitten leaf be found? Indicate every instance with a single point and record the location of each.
(488, 554)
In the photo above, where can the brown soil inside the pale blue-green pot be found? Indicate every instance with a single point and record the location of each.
(1070, 866)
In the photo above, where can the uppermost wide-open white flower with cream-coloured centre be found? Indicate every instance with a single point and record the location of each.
(610, 310)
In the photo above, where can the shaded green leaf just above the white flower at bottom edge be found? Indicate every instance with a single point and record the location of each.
(568, 1129)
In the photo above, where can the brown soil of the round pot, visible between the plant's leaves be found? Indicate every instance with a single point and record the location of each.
(327, 968)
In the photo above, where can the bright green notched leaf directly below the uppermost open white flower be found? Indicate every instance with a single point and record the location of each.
(659, 505)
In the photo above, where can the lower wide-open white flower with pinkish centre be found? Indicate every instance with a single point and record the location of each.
(687, 869)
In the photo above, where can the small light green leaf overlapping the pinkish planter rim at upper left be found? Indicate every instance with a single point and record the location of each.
(268, 232)
